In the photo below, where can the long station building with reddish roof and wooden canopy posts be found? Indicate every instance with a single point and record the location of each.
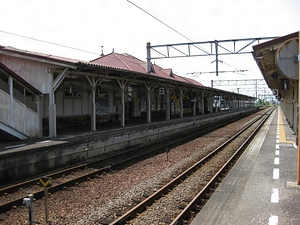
(42, 95)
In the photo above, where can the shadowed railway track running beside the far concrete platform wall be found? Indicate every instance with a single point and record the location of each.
(12, 196)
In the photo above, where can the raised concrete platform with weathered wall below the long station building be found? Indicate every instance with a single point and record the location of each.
(28, 159)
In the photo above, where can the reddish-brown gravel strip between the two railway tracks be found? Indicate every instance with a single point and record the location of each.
(102, 198)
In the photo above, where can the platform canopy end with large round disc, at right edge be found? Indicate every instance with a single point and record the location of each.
(278, 63)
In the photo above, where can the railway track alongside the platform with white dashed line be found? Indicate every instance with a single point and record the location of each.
(186, 193)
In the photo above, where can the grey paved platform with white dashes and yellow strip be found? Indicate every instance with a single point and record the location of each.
(261, 188)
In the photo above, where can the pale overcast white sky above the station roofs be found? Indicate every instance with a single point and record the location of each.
(119, 25)
